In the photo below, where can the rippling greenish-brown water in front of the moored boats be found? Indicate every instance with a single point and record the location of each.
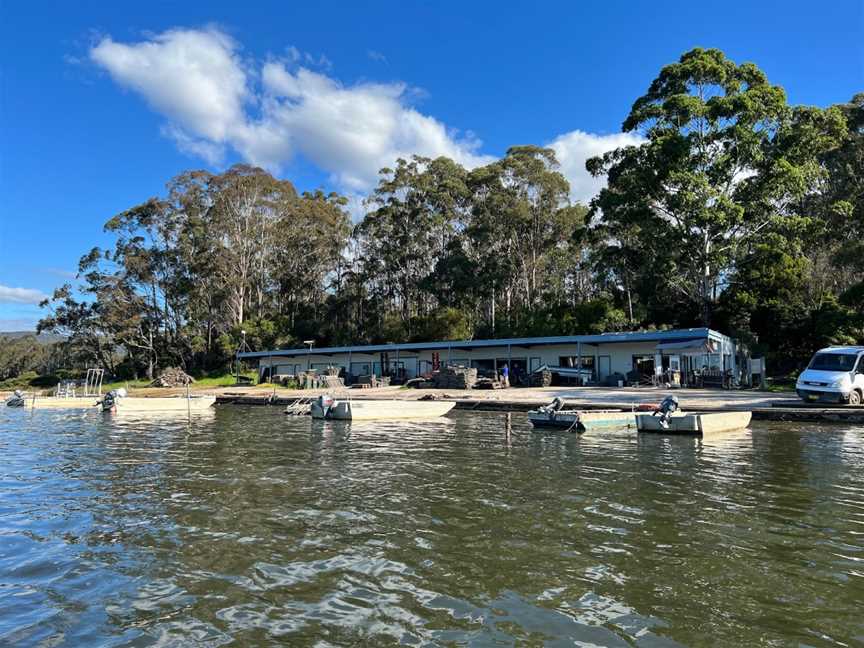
(257, 529)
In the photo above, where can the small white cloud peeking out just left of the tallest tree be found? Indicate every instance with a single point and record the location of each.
(574, 148)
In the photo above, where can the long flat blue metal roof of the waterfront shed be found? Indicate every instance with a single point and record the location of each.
(676, 335)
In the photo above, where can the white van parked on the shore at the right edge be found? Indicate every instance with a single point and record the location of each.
(834, 375)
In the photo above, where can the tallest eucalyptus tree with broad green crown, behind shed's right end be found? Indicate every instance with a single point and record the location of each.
(718, 173)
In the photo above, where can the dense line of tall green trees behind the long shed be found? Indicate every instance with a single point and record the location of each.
(737, 211)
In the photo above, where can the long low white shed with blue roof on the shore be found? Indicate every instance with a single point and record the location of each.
(600, 356)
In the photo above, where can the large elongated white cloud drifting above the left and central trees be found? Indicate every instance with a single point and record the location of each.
(198, 82)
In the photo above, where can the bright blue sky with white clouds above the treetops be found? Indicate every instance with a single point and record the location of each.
(101, 103)
